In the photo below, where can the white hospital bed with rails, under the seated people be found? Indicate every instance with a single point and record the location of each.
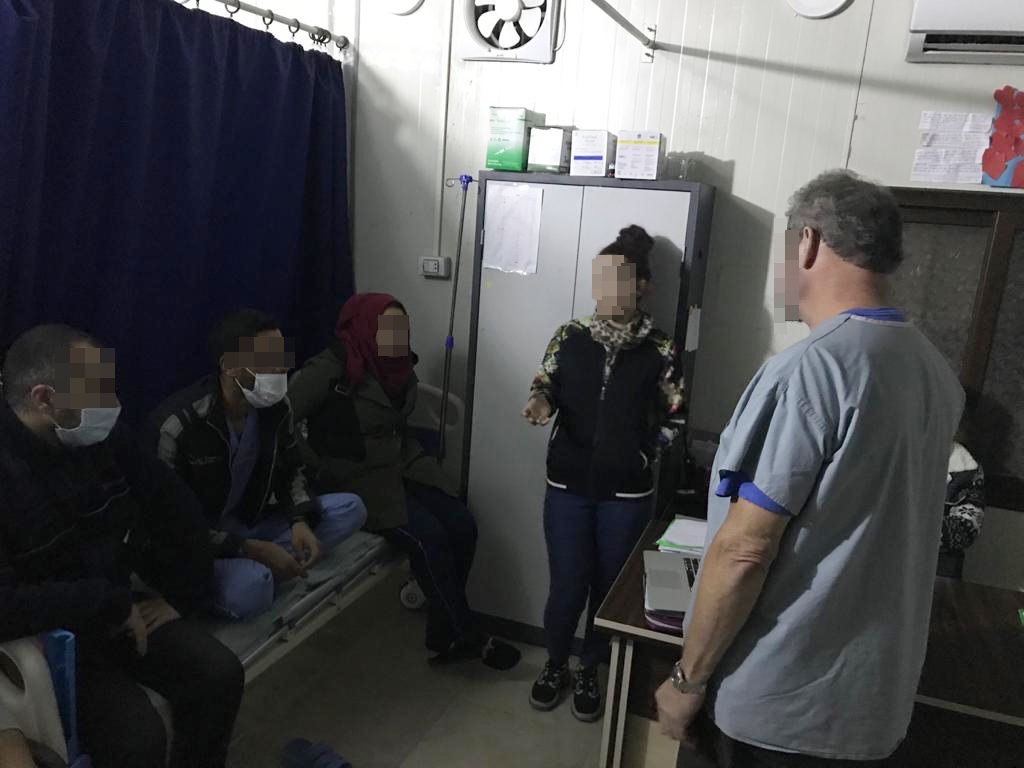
(37, 674)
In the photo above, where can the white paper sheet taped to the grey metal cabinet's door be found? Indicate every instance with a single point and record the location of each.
(513, 228)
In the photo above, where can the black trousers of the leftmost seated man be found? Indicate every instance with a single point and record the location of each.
(201, 679)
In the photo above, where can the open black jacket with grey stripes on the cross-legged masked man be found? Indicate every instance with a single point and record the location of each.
(191, 437)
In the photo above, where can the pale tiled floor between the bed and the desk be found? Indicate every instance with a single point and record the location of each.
(362, 685)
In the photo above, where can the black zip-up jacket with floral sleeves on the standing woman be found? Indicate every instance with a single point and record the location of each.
(608, 434)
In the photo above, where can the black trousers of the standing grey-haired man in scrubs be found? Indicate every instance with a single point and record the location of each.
(719, 751)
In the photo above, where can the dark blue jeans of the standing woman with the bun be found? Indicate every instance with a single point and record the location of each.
(588, 544)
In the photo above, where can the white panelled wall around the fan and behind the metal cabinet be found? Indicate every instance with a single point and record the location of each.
(762, 99)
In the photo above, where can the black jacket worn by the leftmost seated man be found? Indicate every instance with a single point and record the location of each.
(75, 524)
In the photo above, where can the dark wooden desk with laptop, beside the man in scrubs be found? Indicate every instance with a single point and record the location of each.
(973, 668)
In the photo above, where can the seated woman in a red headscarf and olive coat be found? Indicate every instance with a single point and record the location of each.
(356, 399)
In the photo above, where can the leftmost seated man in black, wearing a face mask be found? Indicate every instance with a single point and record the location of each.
(81, 510)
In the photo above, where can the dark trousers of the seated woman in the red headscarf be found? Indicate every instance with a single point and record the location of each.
(441, 542)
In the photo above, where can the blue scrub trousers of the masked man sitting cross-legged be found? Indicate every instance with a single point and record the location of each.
(244, 588)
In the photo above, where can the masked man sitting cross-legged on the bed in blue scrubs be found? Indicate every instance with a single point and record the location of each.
(231, 437)
